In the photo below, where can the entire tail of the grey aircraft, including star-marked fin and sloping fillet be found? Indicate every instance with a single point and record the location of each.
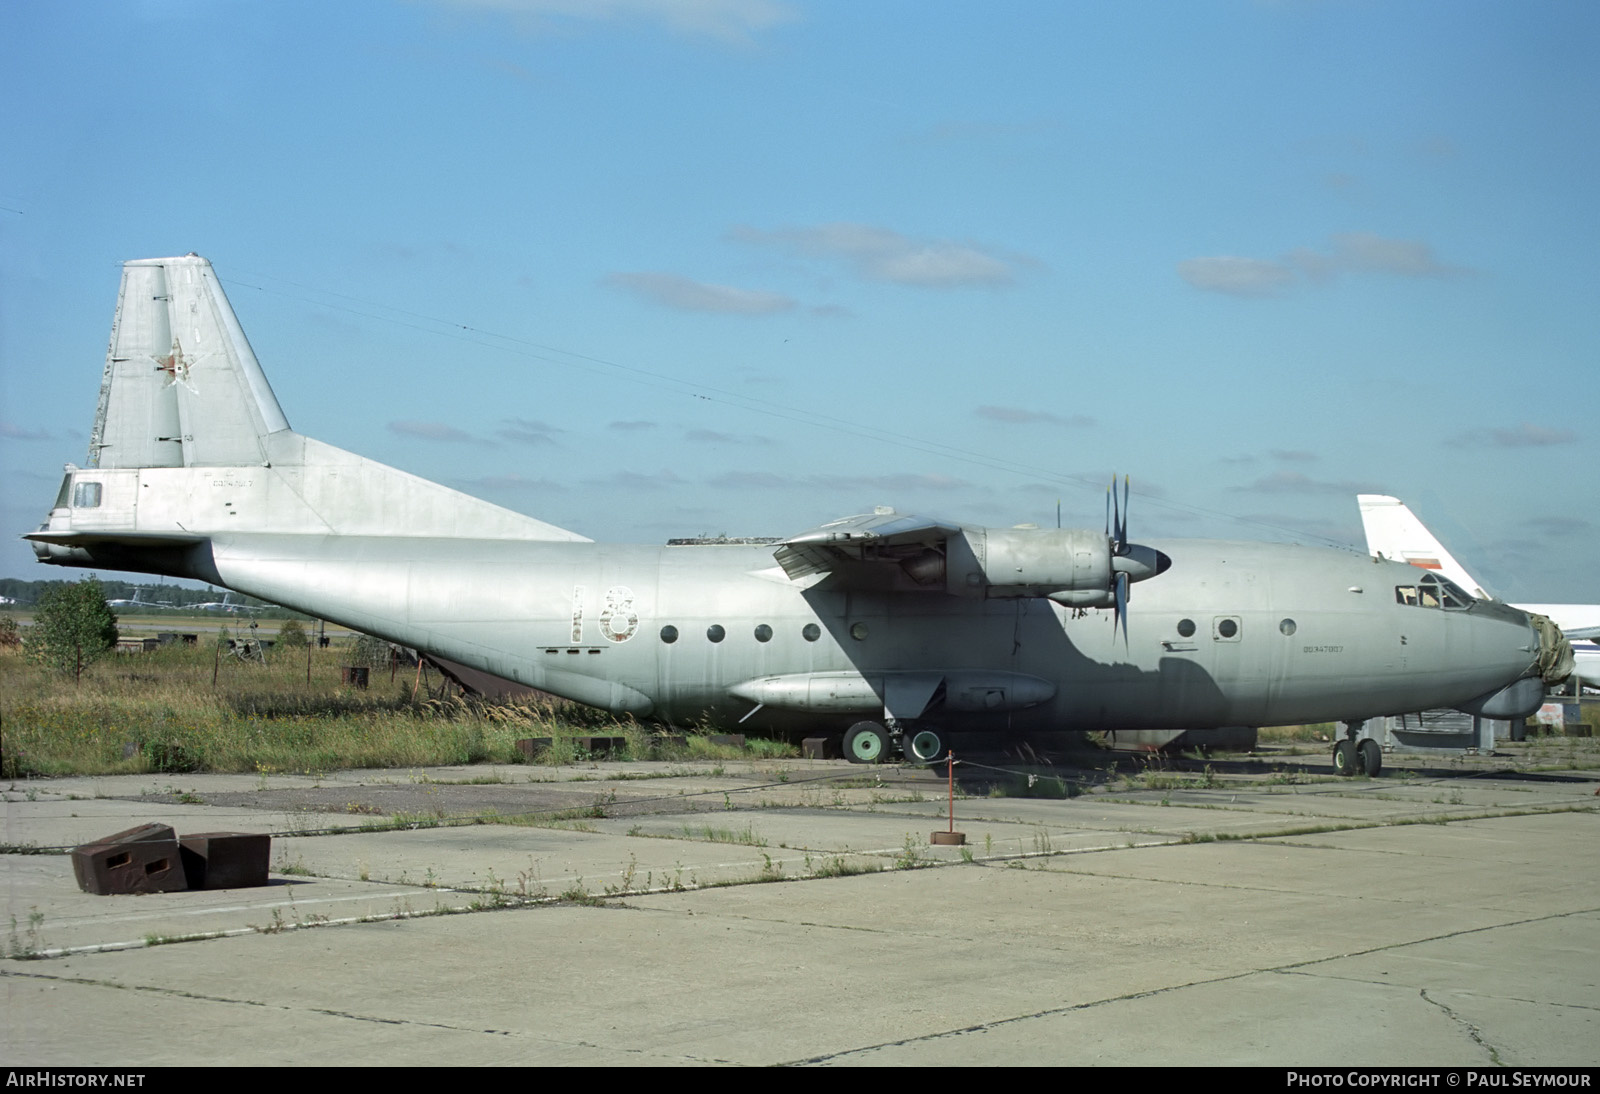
(191, 450)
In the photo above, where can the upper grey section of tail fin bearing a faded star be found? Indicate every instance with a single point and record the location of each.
(182, 385)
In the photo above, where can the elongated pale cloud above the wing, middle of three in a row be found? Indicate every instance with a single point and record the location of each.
(884, 255)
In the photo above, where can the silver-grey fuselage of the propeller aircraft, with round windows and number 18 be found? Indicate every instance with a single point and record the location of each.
(1236, 634)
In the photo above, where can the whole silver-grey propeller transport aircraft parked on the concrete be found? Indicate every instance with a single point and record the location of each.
(886, 628)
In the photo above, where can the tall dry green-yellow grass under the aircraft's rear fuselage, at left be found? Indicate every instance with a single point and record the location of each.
(161, 713)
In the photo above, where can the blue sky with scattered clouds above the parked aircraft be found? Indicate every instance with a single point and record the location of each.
(649, 268)
